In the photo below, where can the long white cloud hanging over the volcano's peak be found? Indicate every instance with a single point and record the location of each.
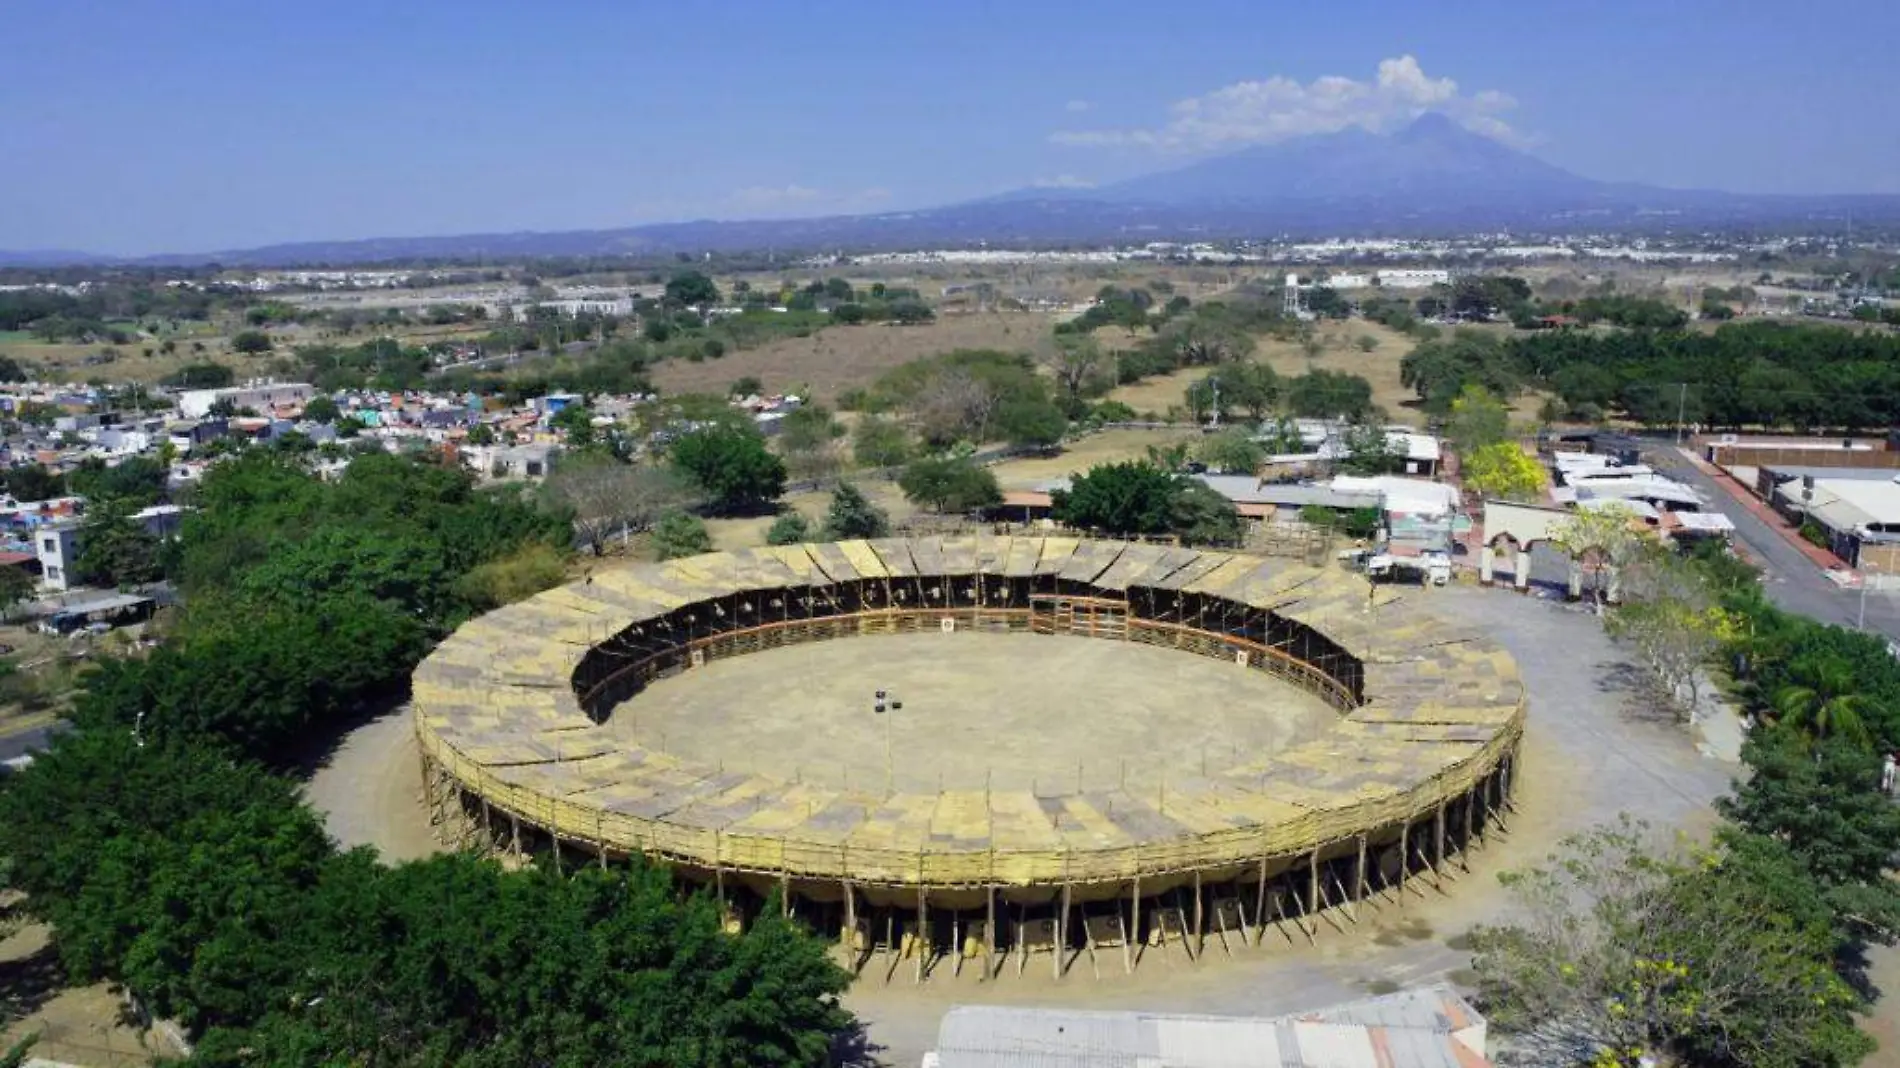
(1276, 109)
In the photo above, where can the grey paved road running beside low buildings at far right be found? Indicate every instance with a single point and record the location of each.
(1789, 577)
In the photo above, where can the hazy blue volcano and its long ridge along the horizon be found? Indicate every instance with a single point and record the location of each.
(1430, 178)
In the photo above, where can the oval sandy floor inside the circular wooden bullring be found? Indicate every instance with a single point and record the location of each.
(1031, 712)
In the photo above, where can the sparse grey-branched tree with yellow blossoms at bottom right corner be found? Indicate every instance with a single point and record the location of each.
(1625, 953)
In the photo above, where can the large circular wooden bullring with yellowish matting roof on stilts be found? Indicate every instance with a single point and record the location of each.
(1407, 763)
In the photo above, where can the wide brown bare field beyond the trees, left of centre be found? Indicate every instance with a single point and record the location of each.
(843, 358)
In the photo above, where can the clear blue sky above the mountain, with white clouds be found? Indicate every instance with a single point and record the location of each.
(134, 126)
